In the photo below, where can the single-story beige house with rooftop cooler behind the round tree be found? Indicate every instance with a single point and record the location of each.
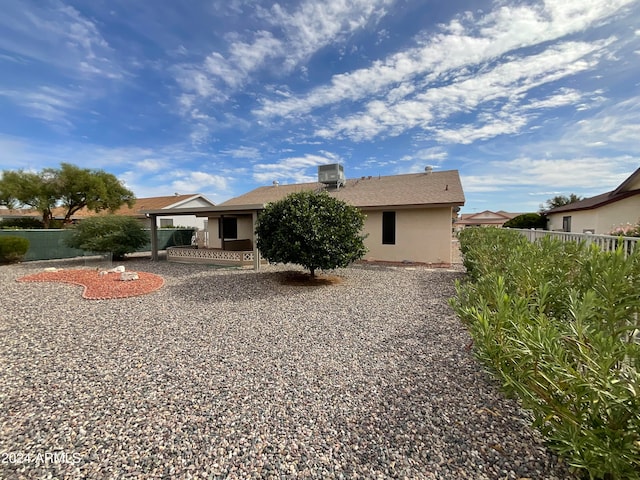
(408, 217)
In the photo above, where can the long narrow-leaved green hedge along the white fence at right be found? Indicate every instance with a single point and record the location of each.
(557, 323)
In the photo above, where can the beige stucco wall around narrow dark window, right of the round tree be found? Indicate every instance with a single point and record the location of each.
(422, 235)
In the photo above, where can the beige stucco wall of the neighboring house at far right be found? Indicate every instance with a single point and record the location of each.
(600, 220)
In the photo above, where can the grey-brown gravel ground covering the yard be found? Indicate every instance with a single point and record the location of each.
(230, 374)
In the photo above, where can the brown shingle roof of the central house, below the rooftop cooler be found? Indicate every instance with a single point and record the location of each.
(435, 188)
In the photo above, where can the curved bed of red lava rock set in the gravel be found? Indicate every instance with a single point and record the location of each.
(100, 287)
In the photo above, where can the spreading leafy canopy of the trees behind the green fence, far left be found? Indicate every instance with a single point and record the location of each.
(69, 186)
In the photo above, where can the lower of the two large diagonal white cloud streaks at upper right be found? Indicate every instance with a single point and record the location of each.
(506, 83)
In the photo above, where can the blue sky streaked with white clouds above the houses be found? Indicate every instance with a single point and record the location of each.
(527, 100)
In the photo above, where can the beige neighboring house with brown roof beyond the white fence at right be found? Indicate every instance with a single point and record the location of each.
(600, 214)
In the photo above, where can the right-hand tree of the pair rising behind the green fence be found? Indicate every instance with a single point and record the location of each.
(96, 190)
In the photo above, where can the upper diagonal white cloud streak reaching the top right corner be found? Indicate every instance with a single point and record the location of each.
(465, 42)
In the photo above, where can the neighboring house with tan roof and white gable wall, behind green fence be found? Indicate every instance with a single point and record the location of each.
(170, 202)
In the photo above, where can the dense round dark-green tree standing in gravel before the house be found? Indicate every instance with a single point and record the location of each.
(311, 229)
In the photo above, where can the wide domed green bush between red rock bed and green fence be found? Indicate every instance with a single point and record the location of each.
(115, 234)
